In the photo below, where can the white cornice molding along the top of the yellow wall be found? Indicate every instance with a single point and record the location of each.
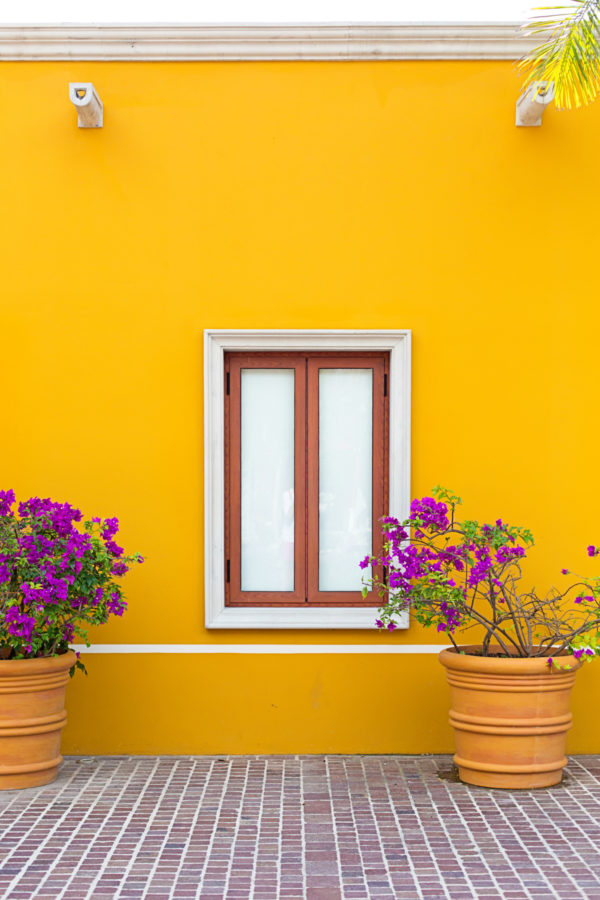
(264, 42)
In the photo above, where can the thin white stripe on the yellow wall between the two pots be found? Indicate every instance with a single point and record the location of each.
(257, 649)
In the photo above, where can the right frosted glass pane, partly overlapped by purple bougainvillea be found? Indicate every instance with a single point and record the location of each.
(345, 476)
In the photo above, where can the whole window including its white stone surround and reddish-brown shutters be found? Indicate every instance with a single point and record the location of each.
(286, 556)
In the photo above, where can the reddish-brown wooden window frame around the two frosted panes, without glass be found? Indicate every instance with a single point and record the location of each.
(306, 476)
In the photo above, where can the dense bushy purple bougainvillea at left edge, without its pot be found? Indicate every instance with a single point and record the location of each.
(56, 579)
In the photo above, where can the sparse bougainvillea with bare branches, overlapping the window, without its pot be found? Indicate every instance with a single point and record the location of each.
(454, 575)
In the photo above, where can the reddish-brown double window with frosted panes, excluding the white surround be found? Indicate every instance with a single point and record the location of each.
(306, 483)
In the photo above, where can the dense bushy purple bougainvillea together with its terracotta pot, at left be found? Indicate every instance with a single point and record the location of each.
(56, 579)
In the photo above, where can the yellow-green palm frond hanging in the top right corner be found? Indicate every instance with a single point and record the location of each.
(569, 54)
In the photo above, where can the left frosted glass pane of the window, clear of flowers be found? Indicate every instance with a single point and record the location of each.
(267, 480)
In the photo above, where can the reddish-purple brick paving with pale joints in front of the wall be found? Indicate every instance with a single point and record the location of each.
(311, 828)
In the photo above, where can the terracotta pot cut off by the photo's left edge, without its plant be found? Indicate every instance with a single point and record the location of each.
(32, 716)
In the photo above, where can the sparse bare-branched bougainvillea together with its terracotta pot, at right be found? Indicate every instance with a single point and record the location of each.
(510, 690)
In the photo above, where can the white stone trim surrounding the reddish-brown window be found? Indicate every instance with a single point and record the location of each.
(216, 343)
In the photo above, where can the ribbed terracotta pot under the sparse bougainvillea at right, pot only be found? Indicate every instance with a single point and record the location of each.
(510, 718)
